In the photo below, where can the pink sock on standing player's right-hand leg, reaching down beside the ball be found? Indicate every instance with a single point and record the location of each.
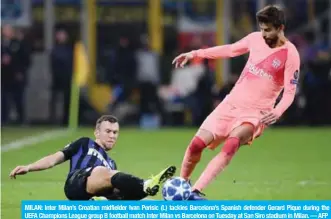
(218, 163)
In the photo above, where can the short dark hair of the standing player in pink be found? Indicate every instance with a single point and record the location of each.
(271, 14)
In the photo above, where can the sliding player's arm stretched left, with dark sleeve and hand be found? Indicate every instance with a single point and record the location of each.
(48, 161)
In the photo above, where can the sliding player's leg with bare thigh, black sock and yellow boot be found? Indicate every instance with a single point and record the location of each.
(102, 180)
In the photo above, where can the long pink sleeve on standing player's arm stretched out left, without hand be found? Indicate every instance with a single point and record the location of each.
(225, 51)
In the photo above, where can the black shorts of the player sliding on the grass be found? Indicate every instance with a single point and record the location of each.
(75, 187)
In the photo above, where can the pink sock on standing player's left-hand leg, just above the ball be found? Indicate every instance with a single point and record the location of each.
(192, 157)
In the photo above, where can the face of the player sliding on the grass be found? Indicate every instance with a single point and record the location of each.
(107, 134)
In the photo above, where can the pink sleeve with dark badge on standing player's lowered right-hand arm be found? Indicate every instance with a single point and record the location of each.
(291, 80)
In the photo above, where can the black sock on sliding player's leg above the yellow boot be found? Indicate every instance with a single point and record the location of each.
(130, 186)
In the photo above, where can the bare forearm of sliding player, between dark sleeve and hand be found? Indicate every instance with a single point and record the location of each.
(46, 162)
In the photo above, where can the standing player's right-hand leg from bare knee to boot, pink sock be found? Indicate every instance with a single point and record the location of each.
(237, 137)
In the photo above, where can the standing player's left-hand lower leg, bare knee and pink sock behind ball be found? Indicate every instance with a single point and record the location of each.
(193, 152)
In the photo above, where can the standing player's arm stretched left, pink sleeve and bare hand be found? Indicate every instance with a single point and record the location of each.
(225, 51)
